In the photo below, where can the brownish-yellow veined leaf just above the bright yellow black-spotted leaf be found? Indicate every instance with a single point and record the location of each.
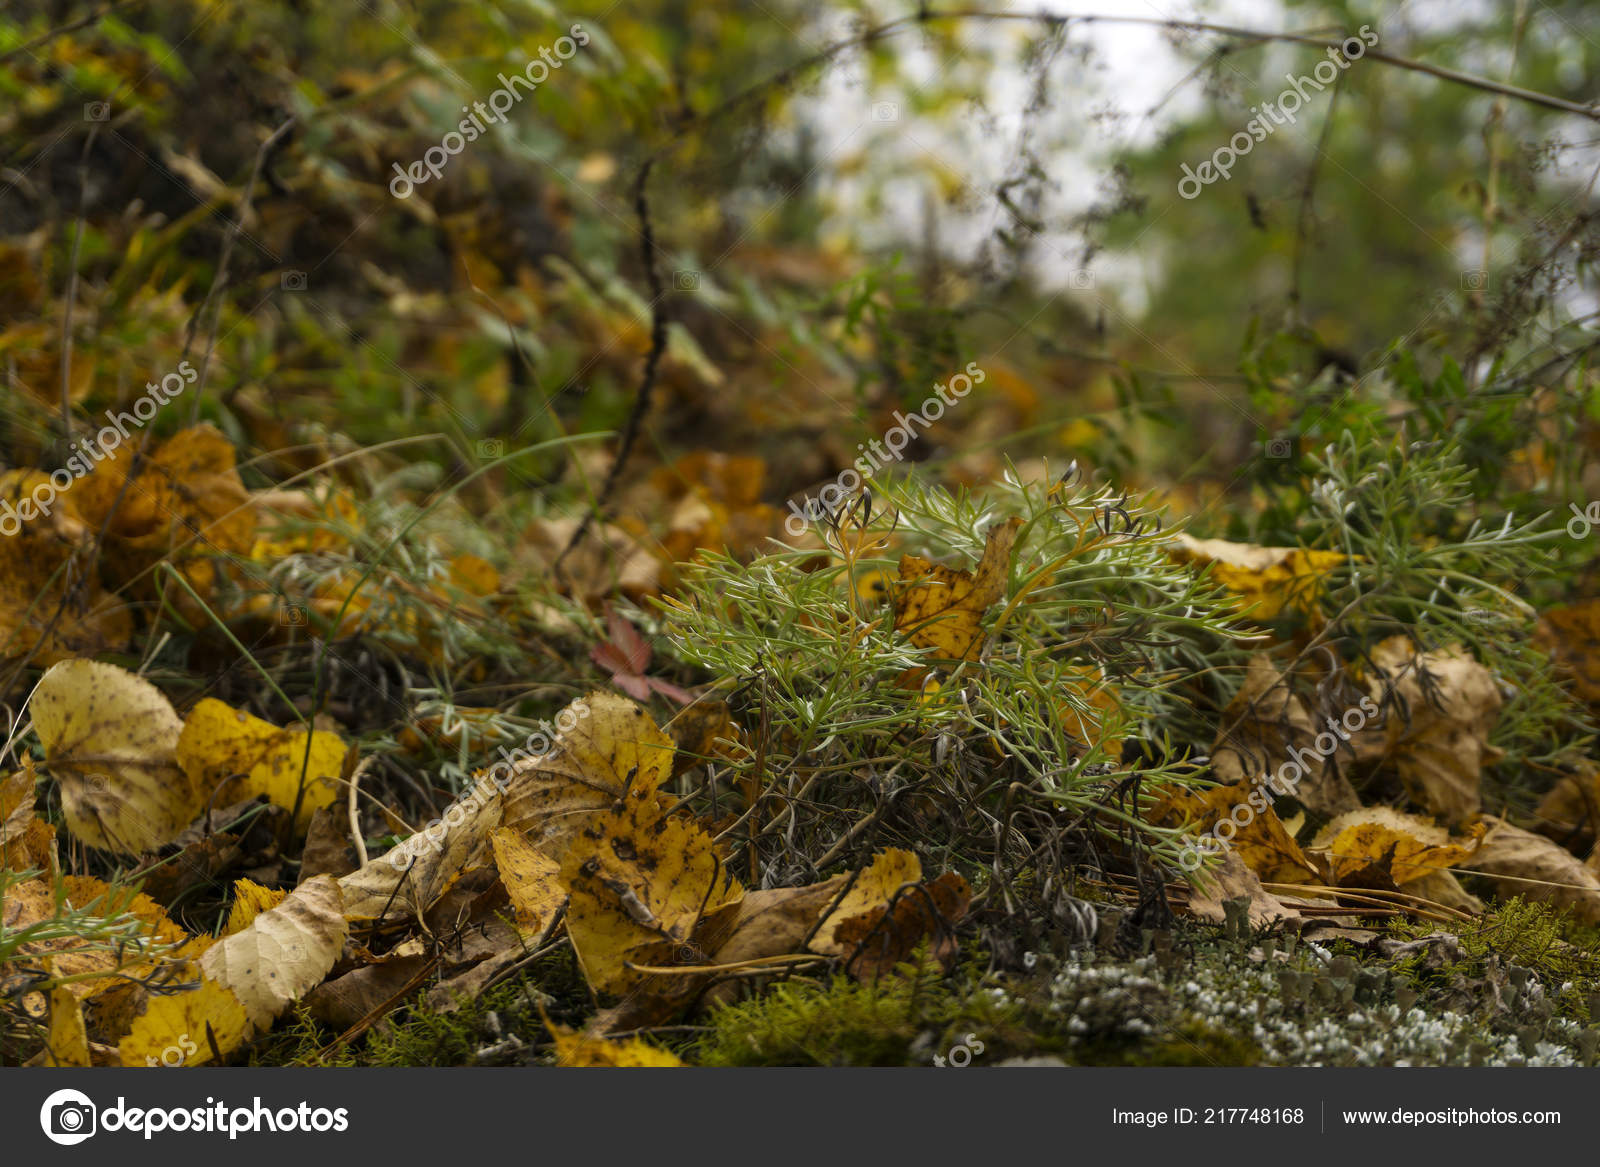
(614, 748)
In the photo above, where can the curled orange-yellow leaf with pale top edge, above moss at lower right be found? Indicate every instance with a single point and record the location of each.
(1385, 848)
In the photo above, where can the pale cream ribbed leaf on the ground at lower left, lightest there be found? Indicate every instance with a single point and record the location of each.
(284, 953)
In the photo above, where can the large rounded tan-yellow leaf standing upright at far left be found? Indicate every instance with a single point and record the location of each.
(111, 744)
